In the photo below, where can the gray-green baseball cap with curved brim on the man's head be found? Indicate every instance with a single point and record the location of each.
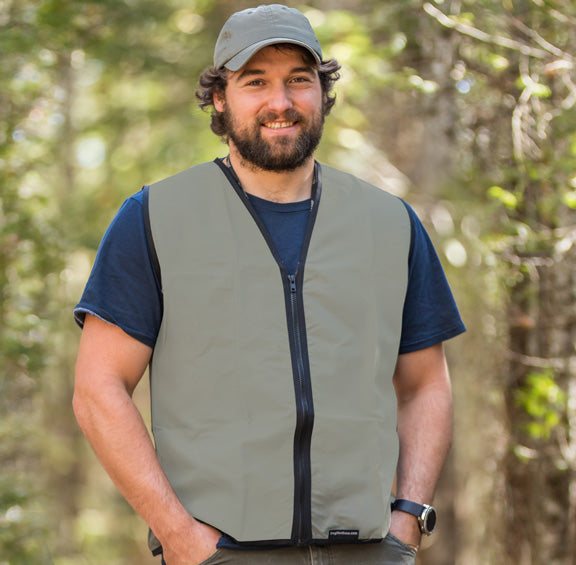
(250, 30)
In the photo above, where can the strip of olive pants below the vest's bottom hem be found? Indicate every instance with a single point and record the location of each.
(390, 551)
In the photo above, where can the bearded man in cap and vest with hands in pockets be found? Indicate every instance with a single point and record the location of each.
(296, 315)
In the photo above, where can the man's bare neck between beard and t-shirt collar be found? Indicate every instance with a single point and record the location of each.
(276, 186)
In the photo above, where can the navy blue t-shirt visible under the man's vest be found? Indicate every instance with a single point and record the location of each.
(123, 288)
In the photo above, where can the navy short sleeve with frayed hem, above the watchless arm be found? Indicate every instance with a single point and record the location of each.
(122, 288)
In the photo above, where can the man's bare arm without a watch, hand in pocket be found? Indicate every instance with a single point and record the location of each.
(110, 365)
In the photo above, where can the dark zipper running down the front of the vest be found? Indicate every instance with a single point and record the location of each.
(302, 519)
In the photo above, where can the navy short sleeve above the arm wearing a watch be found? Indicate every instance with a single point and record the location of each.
(430, 313)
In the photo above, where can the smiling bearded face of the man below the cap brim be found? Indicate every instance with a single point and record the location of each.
(273, 108)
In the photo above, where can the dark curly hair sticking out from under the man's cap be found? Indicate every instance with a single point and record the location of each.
(213, 81)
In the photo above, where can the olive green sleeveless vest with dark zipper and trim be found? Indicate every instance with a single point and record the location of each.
(273, 409)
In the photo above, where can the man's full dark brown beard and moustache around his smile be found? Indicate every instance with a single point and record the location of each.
(284, 153)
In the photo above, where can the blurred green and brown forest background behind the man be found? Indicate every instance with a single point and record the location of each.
(465, 108)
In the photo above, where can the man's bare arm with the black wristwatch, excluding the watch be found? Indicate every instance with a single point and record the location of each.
(424, 398)
